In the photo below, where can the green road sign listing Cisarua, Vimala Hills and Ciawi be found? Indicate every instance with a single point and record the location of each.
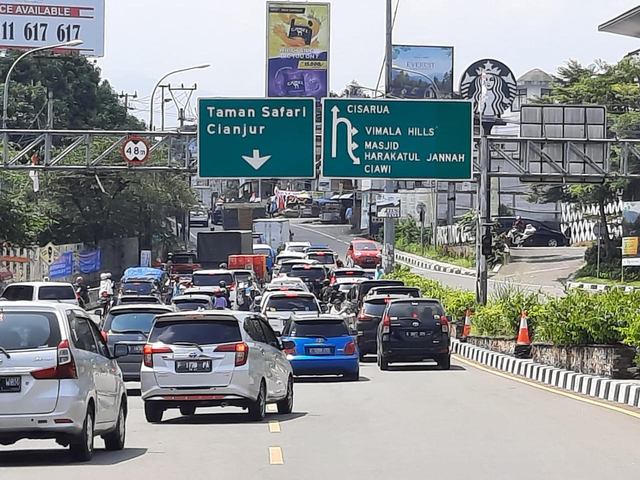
(397, 139)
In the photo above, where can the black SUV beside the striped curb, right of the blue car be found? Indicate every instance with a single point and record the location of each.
(413, 330)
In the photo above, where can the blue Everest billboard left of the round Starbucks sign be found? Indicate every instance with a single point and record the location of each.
(423, 72)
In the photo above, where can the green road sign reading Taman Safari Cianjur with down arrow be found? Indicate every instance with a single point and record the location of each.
(256, 138)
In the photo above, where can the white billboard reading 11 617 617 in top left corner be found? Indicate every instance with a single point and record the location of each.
(28, 24)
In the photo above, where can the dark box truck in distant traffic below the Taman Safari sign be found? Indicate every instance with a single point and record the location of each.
(214, 248)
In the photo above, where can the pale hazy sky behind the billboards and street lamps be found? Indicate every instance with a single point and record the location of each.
(147, 38)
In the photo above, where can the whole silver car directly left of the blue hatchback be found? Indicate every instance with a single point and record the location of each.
(215, 358)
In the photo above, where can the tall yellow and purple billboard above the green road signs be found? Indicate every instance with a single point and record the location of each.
(297, 49)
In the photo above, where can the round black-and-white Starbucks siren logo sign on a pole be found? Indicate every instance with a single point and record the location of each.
(490, 84)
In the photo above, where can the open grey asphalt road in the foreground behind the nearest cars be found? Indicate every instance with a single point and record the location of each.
(411, 422)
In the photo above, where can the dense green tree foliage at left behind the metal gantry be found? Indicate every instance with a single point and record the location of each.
(75, 207)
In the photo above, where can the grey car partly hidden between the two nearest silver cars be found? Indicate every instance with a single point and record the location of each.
(130, 325)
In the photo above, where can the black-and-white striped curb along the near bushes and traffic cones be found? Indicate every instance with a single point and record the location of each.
(602, 388)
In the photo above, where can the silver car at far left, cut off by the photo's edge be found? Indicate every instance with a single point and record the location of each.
(58, 379)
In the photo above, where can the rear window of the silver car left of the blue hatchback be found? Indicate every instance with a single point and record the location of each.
(201, 332)
